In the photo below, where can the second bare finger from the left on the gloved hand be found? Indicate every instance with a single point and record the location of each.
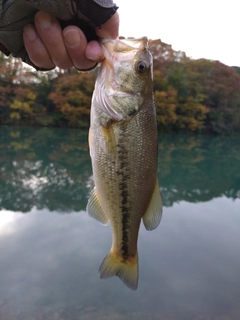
(50, 33)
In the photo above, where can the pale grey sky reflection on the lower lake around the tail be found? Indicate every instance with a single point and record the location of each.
(189, 267)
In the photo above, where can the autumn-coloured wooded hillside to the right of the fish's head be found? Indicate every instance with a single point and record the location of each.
(194, 94)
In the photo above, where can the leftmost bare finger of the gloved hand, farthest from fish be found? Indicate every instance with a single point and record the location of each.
(36, 50)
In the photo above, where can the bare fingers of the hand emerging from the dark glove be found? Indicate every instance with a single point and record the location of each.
(49, 46)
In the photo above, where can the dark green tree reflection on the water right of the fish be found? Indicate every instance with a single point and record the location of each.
(199, 168)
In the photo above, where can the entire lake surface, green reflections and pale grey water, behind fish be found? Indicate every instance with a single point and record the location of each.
(50, 250)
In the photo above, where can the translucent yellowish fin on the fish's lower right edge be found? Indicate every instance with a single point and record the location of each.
(153, 215)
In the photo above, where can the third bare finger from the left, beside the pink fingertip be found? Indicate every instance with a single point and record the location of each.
(76, 44)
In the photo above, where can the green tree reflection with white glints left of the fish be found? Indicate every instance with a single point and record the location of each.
(44, 168)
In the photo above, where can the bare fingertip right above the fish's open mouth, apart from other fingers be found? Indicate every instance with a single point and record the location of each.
(109, 30)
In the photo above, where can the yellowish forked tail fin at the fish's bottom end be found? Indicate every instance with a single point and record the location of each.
(126, 270)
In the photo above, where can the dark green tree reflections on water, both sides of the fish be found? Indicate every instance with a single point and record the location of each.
(51, 169)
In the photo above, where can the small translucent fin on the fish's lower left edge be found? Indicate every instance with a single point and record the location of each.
(95, 210)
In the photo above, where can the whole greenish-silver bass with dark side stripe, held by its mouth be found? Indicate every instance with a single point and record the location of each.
(123, 141)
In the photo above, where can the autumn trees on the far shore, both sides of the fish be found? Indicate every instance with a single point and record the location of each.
(190, 95)
